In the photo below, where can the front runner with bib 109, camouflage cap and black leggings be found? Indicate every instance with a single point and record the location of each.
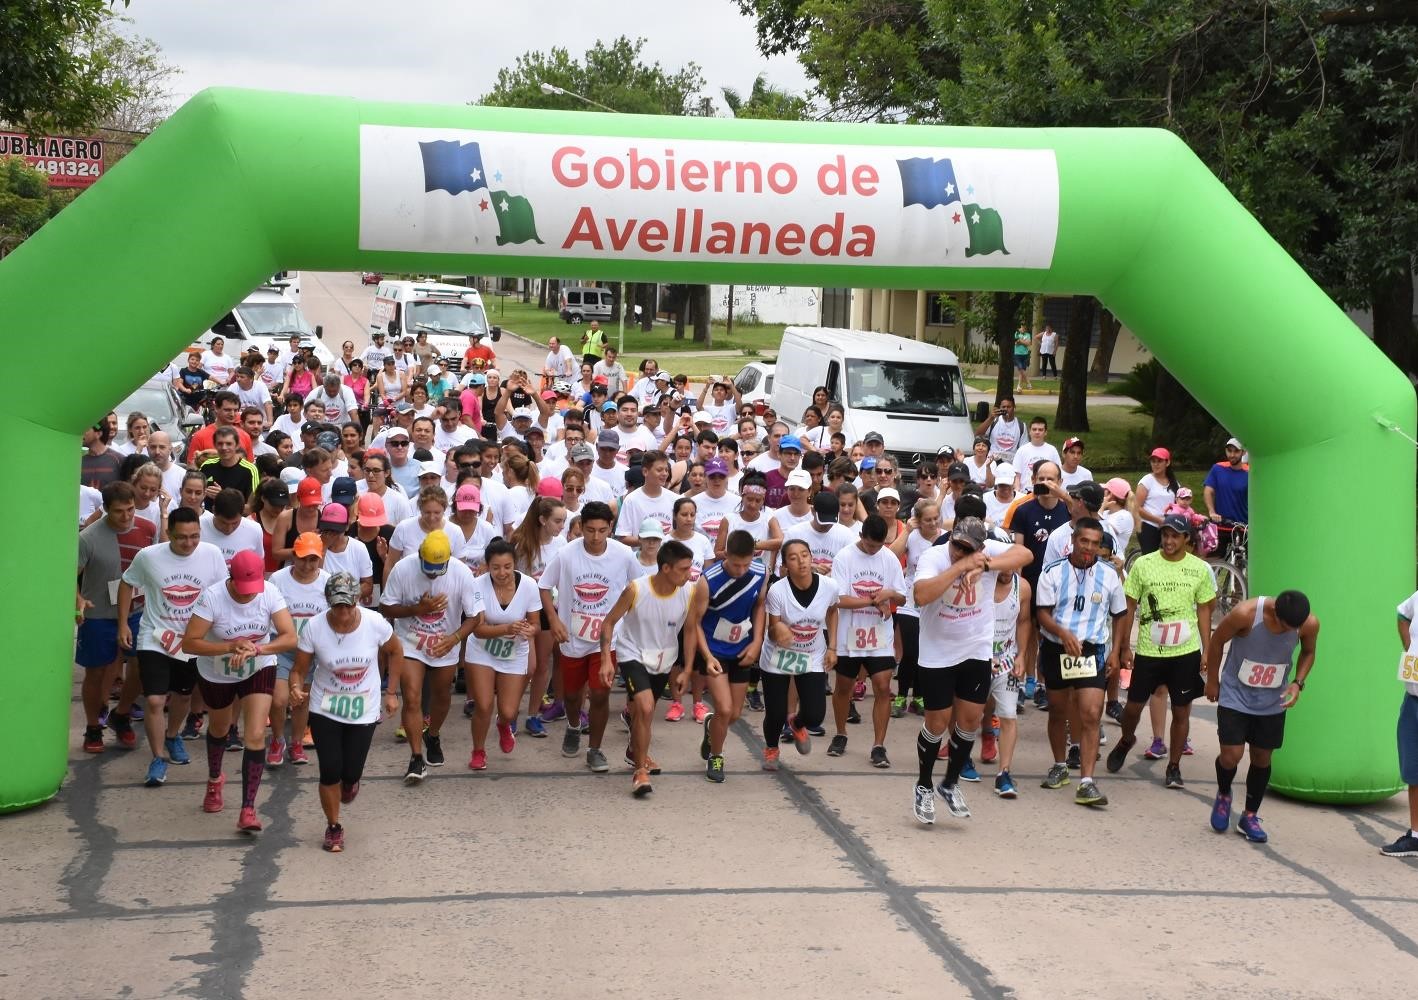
(341, 650)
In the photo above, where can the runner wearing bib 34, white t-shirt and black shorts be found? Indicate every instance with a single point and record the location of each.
(871, 584)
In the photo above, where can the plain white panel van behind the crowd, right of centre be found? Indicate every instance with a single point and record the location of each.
(908, 392)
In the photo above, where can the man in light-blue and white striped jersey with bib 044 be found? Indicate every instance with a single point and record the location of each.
(1081, 605)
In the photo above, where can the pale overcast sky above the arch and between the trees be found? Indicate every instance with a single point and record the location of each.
(437, 52)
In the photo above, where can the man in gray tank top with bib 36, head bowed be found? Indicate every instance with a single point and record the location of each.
(1256, 689)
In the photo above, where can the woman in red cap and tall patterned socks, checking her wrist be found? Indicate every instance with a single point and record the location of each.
(230, 635)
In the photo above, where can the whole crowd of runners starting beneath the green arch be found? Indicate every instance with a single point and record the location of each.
(365, 543)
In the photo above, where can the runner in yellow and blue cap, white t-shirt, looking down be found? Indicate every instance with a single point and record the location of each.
(432, 602)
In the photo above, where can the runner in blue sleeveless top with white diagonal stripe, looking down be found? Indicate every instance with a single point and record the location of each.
(730, 604)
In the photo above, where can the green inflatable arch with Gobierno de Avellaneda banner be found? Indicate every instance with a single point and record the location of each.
(239, 185)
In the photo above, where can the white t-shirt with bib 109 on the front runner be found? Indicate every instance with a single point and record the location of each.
(345, 667)
